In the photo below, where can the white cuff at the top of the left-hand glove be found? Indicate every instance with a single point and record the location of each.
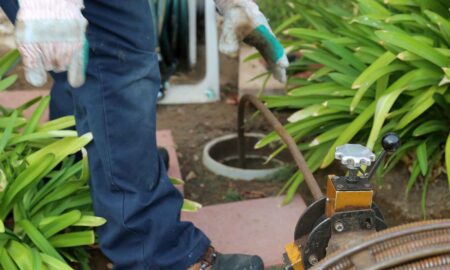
(50, 9)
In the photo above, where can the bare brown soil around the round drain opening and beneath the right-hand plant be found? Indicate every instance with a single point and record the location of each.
(195, 125)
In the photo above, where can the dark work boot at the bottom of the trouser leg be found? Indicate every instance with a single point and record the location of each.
(213, 260)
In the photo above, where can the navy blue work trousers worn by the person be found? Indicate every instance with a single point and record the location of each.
(117, 104)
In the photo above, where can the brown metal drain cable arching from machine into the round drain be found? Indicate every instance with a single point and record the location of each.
(285, 137)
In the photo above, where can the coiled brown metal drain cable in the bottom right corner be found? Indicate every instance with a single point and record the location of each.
(415, 246)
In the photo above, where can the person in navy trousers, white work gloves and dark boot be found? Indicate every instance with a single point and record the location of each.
(108, 73)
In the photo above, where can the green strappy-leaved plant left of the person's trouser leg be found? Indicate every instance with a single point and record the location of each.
(45, 207)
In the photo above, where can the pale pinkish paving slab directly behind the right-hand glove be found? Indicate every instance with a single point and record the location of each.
(249, 70)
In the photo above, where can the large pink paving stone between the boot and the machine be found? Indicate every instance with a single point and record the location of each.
(251, 227)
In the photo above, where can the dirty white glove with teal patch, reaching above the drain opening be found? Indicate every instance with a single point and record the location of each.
(243, 21)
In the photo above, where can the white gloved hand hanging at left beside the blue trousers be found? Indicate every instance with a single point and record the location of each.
(50, 35)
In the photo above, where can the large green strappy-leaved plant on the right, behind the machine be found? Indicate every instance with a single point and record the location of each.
(365, 68)
